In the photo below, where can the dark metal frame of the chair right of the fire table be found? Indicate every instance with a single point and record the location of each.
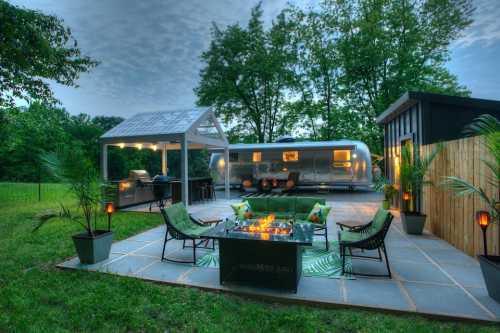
(375, 241)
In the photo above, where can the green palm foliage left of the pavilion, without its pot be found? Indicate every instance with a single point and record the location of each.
(71, 166)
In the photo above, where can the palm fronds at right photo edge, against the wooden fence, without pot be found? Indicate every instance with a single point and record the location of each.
(489, 127)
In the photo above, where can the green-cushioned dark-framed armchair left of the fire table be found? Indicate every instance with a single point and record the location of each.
(182, 226)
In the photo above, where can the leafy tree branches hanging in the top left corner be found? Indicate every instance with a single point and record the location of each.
(34, 47)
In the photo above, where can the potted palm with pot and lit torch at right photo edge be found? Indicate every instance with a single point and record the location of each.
(489, 127)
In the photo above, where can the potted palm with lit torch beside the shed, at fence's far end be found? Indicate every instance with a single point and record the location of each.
(412, 179)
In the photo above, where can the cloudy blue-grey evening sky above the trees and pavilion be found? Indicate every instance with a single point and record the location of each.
(149, 50)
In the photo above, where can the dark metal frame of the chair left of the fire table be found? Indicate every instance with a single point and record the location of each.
(178, 235)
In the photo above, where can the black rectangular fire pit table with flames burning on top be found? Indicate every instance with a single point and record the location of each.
(263, 253)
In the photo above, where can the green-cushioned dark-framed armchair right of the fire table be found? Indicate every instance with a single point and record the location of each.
(367, 237)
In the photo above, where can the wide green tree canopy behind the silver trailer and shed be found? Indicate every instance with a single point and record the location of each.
(335, 68)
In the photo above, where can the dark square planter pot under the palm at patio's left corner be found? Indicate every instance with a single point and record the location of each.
(92, 249)
